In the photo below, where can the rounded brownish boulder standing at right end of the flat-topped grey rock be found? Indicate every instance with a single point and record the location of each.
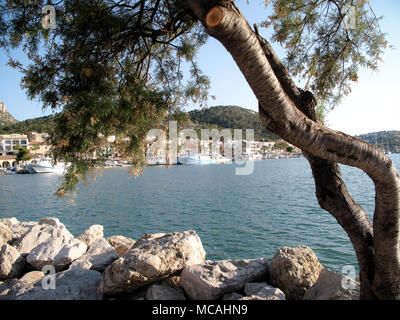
(294, 271)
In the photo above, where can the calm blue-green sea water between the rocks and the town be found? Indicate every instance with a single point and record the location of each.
(236, 217)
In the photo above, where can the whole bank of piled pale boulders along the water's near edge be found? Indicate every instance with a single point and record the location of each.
(44, 261)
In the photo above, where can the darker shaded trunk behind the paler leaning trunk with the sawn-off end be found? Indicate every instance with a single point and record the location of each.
(331, 191)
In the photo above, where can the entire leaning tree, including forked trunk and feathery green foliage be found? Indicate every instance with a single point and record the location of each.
(115, 67)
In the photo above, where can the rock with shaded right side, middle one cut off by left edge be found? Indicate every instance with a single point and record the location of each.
(12, 263)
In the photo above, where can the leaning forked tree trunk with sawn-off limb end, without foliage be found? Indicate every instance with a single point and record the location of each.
(287, 116)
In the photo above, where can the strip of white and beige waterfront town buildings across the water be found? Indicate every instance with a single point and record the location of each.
(39, 149)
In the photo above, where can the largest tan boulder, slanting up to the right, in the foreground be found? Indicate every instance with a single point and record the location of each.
(151, 259)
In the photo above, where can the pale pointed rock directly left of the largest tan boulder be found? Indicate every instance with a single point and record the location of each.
(100, 255)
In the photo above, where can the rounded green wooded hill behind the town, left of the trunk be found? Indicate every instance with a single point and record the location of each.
(232, 117)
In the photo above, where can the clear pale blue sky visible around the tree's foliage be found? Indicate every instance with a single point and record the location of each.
(372, 106)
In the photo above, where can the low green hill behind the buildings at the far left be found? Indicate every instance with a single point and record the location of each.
(42, 124)
